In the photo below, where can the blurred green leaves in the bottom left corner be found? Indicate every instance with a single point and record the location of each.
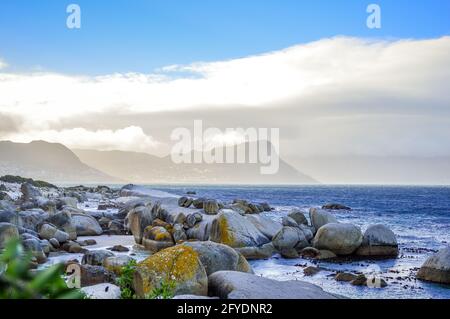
(19, 281)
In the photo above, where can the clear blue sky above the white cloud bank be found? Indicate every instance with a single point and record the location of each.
(143, 35)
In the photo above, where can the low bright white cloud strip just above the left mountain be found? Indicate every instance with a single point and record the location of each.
(127, 139)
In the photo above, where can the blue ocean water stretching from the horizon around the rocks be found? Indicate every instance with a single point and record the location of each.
(419, 216)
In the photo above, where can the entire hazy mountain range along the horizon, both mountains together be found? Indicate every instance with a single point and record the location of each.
(57, 163)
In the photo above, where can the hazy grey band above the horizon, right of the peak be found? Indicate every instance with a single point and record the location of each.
(386, 170)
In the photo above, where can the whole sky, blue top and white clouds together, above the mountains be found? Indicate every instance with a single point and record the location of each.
(138, 69)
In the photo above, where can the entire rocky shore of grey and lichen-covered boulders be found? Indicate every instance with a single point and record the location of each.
(201, 246)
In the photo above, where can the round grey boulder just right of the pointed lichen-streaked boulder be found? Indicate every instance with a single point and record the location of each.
(289, 239)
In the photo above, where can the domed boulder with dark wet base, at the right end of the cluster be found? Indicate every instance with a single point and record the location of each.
(378, 241)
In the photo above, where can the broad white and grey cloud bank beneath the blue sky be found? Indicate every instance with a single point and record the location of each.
(330, 97)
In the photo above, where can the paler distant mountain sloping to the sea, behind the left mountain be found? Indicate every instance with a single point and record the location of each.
(145, 168)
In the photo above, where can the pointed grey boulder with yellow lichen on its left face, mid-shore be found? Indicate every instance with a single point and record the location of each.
(232, 229)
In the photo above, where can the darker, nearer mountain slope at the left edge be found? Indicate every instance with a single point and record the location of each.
(47, 161)
